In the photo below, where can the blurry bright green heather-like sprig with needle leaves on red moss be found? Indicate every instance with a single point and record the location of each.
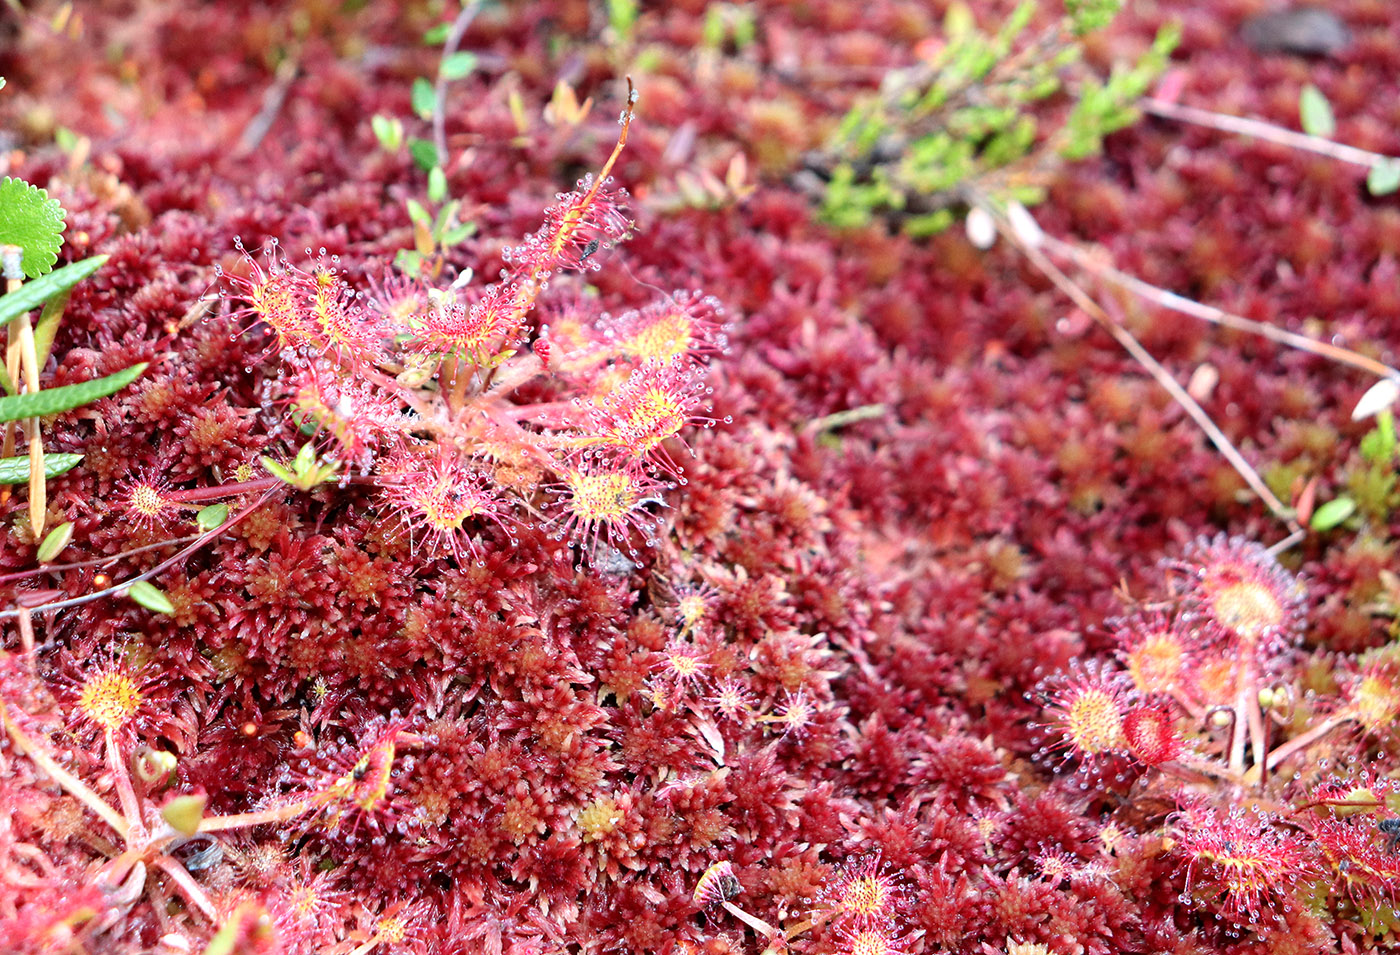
(975, 120)
